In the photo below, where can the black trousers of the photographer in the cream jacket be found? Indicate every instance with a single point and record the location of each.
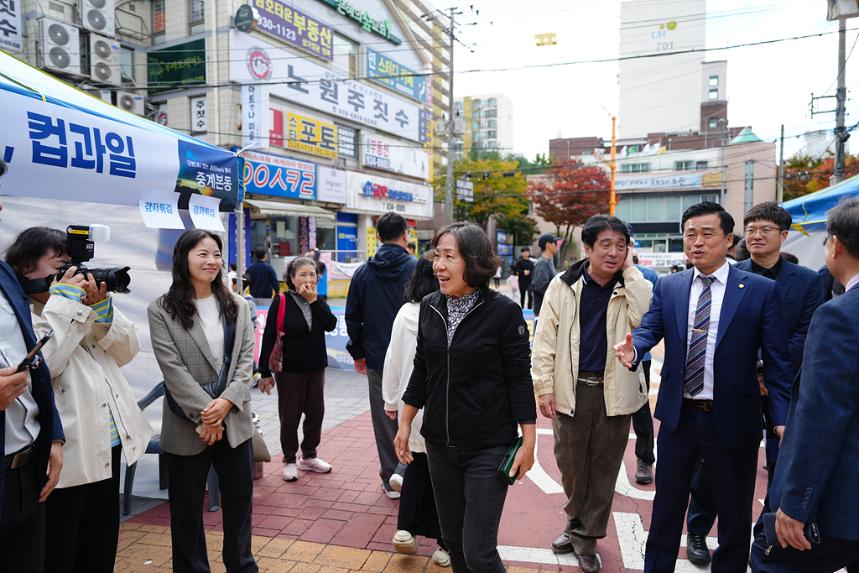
(83, 525)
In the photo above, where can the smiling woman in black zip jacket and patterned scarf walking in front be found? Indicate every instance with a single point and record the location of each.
(472, 378)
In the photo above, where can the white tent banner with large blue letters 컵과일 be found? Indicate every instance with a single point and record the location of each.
(60, 143)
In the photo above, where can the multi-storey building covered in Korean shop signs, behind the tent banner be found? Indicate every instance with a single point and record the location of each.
(331, 102)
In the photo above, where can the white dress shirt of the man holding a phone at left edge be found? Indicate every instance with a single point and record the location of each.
(22, 424)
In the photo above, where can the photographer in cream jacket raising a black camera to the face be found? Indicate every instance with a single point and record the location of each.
(91, 341)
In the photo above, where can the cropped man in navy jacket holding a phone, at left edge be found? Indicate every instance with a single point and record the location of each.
(31, 434)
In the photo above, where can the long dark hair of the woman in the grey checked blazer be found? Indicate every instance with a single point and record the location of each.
(179, 299)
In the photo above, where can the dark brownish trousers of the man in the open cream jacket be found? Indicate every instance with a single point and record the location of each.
(589, 449)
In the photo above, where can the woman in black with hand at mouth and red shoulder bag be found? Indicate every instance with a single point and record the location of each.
(301, 382)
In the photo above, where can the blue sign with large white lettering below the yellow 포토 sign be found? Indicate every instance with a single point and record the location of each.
(277, 176)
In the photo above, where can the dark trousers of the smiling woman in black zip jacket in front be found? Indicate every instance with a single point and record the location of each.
(469, 495)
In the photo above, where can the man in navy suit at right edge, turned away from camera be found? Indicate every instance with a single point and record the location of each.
(815, 482)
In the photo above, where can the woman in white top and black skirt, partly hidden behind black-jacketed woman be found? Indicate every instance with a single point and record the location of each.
(417, 514)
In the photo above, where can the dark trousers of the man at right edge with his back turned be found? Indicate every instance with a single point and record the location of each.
(830, 555)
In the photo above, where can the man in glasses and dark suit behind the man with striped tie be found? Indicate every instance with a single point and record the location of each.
(765, 226)
